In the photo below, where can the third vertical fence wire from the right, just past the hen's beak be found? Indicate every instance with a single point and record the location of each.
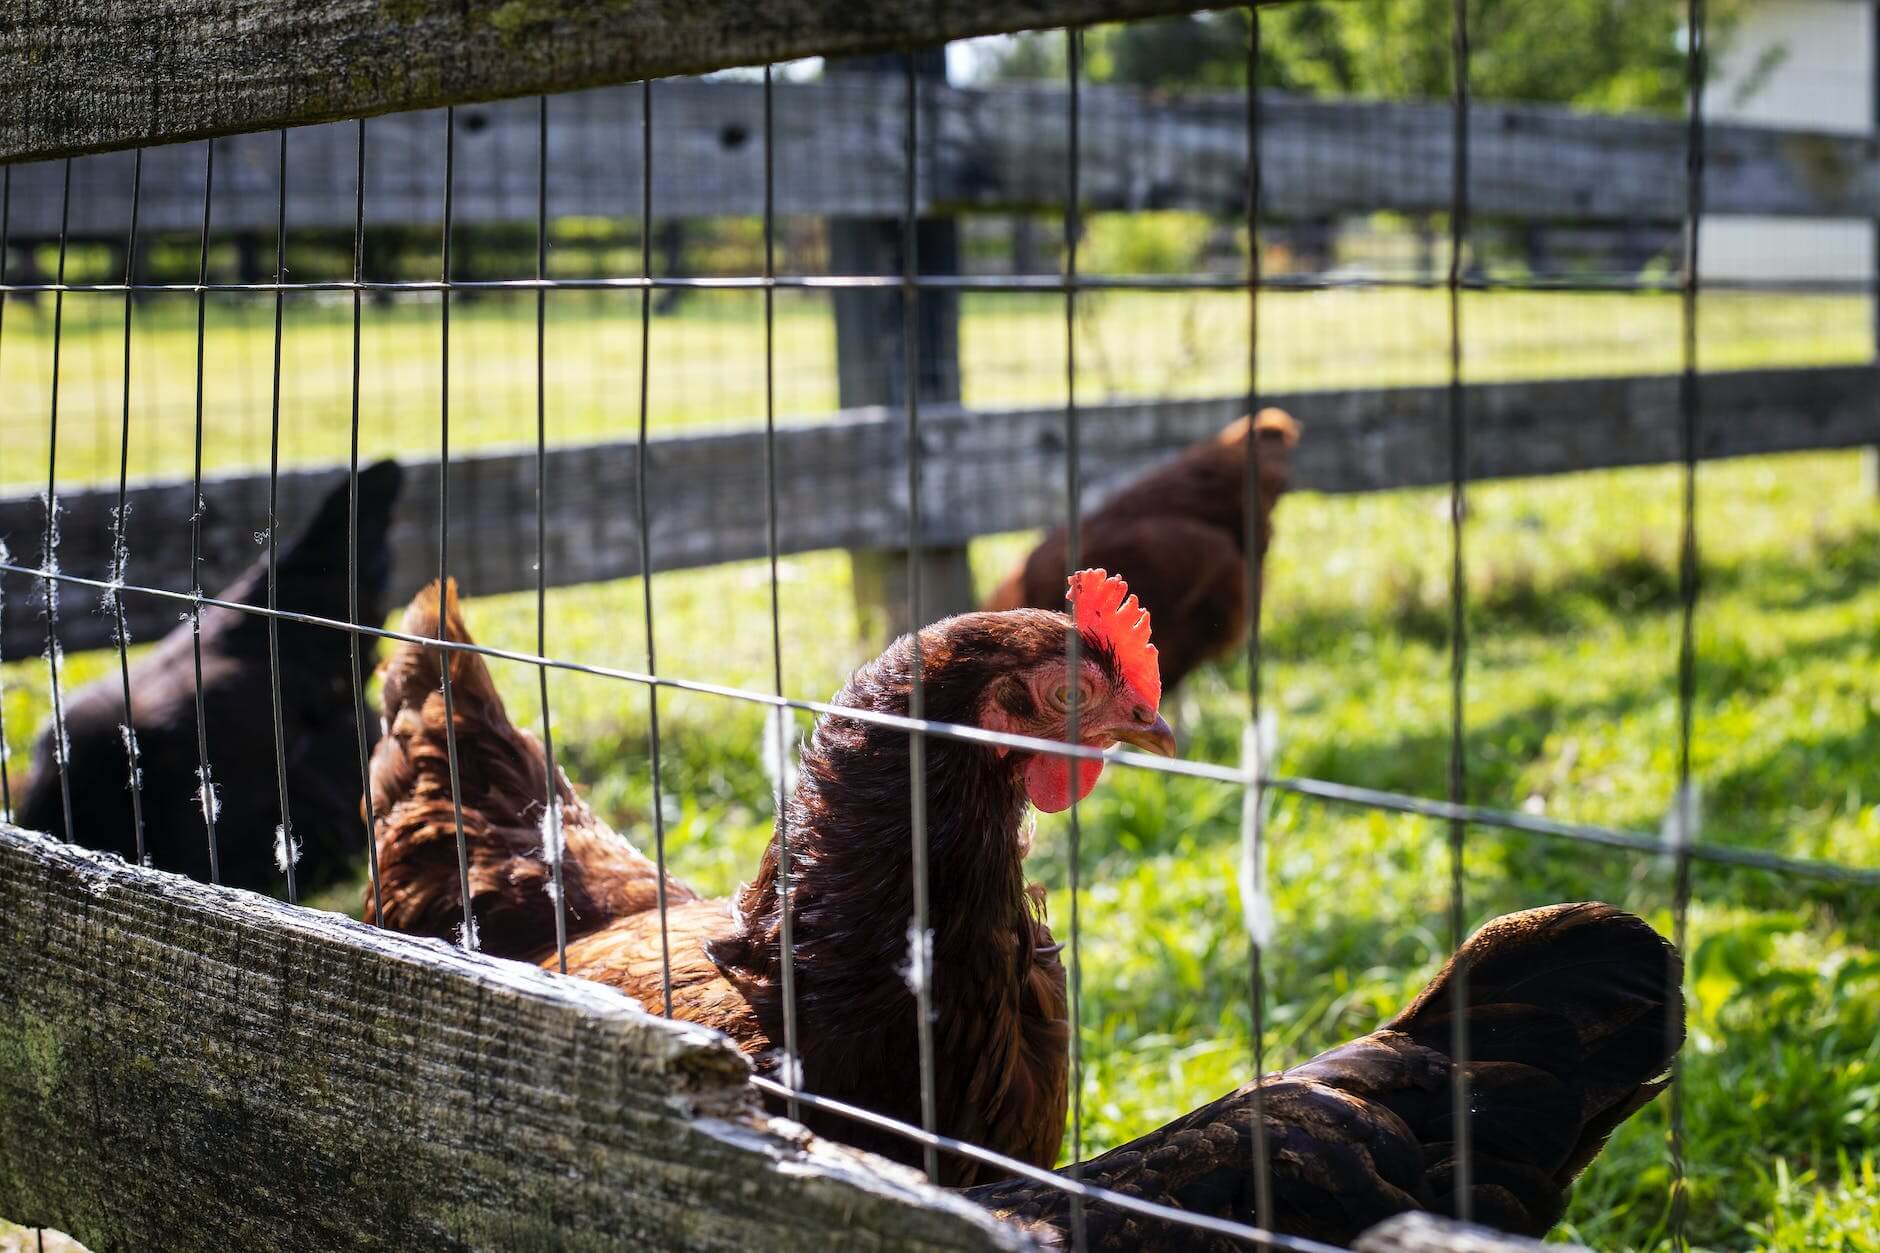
(1255, 654)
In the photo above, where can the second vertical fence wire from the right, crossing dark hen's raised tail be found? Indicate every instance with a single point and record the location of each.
(1460, 1102)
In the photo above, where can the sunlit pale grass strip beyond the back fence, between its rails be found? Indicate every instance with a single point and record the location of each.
(710, 362)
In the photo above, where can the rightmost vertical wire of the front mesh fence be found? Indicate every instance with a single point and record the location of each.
(1687, 584)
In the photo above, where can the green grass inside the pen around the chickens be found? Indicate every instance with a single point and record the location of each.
(1571, 712)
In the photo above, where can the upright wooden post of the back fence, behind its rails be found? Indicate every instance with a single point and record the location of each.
(871, 372)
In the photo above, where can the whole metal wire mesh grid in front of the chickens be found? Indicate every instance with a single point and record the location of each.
(1253, 778)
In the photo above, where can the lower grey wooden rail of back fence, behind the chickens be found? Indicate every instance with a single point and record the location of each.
(843, 483)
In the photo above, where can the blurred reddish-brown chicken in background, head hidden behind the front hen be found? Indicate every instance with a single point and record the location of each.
(1178, 537)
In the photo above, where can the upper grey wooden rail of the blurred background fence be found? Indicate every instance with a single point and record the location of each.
(841, 153)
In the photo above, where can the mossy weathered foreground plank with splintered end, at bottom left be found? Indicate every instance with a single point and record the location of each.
(195, 1068)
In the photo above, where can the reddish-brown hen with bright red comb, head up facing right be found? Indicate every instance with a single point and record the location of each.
(1001, 1045)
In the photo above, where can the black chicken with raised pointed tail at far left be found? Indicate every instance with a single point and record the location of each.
(319, 720)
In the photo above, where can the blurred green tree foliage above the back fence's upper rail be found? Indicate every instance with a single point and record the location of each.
(1593, 54)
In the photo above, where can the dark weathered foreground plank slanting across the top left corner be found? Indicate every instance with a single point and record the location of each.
(84, 76)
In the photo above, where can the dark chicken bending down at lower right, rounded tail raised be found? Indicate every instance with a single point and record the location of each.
(1574, 1017)
